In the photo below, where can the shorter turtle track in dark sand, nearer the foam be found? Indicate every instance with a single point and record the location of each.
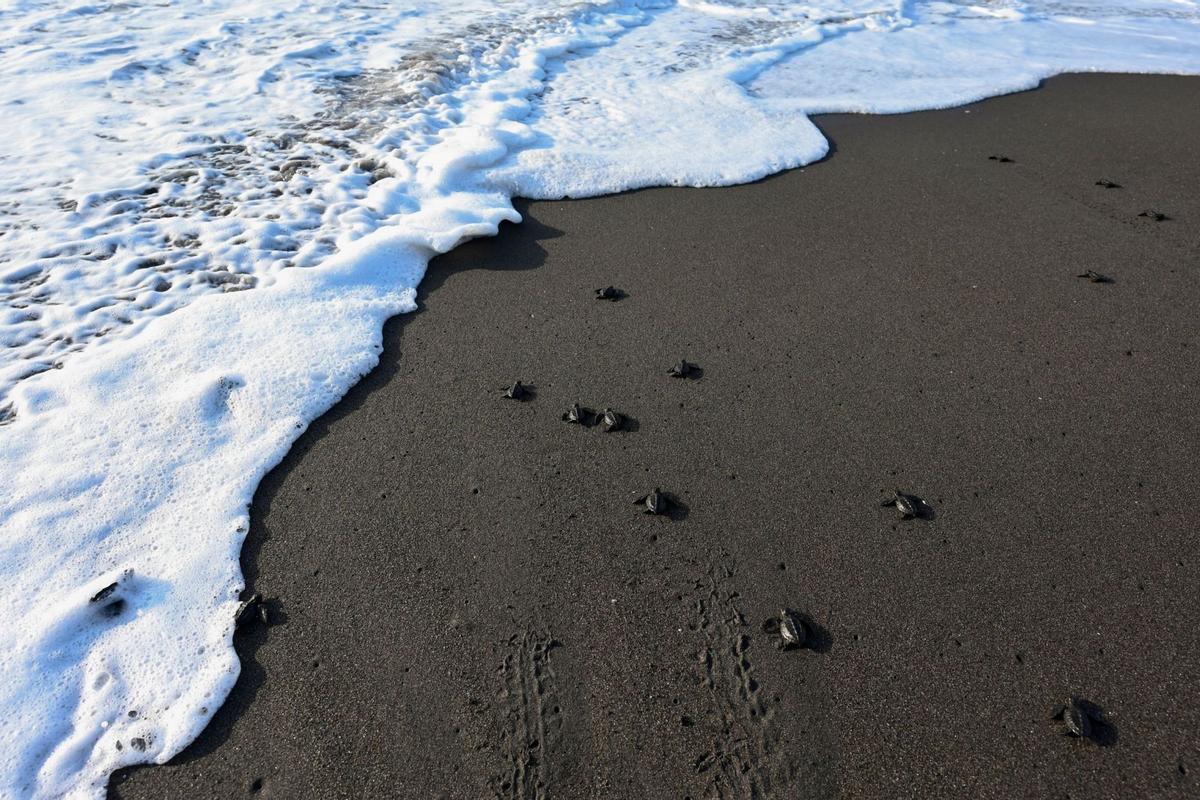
(533, 717)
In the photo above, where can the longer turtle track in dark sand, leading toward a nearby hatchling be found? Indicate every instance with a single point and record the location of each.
(747, 761)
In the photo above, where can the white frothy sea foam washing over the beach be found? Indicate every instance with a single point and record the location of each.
(208, 210)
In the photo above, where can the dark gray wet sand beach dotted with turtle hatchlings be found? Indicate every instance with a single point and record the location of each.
(470, 604)
